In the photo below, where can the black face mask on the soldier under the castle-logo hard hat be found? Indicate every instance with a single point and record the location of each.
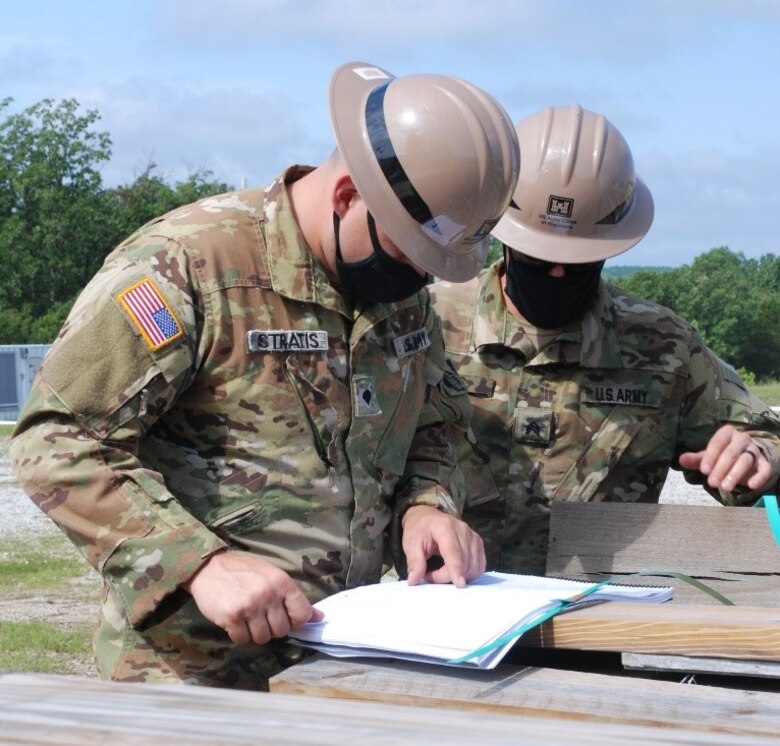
(551, 302)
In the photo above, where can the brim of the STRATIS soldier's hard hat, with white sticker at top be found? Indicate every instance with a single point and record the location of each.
(350, 87)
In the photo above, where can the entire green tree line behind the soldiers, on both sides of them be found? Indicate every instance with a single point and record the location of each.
(58, 221)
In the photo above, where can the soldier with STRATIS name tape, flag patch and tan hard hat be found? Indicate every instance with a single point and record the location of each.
(244, 403)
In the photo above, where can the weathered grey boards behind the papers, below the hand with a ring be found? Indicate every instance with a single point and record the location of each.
(732, 550)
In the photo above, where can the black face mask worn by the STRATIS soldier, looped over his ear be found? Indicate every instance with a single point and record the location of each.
(378, 278)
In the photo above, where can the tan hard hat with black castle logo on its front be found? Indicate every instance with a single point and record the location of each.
(577, 198)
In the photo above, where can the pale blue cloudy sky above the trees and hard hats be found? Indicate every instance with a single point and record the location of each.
(240, 87)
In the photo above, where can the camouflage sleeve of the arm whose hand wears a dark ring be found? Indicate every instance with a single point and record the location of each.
(717, 396)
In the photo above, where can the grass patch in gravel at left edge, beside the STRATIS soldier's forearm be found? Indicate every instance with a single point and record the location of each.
(39, 563)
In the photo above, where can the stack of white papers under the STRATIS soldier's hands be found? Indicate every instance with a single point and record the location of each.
(473, 626)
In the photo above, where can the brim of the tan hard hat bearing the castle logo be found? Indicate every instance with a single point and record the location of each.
(567, 249)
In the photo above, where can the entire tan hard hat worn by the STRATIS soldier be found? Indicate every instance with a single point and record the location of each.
(434, 158)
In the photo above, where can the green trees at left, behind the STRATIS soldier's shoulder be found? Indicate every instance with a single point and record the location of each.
(57, 219)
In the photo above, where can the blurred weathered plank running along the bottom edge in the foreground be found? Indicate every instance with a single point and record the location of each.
(70, 711)
